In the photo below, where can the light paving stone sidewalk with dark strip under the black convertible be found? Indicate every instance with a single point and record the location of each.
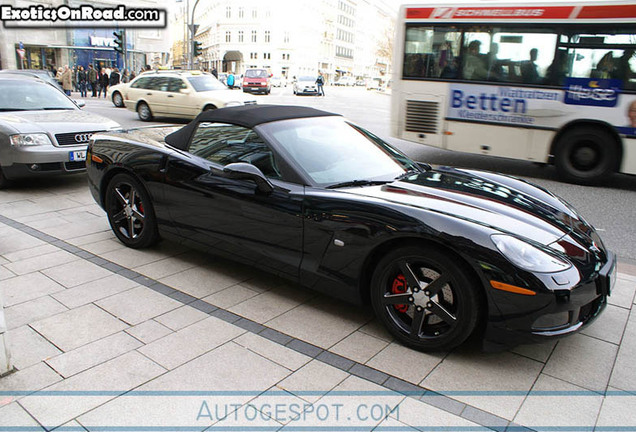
(108, 338)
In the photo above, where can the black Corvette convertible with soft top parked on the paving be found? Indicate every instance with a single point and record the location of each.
(441, 254)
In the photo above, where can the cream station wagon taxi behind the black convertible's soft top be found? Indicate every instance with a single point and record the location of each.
(181, 94)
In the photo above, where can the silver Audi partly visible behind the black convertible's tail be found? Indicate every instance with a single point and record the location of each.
(42, 131)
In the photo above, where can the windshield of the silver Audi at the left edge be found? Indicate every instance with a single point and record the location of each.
(26, 95)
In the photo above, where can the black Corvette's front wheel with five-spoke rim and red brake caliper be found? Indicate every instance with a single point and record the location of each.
(425, 299)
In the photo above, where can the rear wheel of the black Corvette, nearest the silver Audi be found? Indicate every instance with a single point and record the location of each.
(130, 212)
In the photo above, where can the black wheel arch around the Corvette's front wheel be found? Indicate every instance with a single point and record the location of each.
(384, 248)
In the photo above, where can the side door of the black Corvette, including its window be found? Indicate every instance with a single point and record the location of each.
(233, 216)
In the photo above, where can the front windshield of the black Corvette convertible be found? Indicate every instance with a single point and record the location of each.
(331, 151)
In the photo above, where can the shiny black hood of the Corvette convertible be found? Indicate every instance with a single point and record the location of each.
(503, 203)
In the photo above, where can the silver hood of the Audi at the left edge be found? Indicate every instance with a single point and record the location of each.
(58, 121)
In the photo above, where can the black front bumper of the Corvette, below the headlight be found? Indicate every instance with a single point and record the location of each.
(561, 312)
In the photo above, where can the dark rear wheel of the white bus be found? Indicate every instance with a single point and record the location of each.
(585, 155)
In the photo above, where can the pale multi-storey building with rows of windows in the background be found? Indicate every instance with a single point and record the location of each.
(335, 37)
